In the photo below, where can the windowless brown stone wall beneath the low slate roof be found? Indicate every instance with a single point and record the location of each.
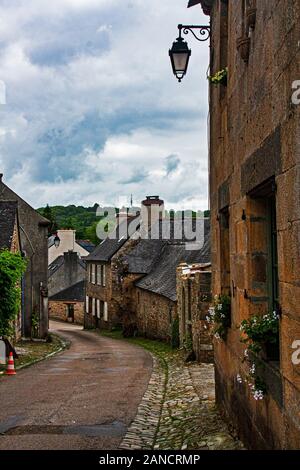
(154, 315)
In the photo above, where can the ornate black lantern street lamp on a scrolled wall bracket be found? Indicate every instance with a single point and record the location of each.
(180, 53)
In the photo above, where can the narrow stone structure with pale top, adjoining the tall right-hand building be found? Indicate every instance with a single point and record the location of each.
(193, 301)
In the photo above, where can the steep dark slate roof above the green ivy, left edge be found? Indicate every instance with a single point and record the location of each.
(8, 214)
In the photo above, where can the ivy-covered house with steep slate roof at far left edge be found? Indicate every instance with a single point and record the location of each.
(10, 240)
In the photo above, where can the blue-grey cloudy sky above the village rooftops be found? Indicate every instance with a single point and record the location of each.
(93, 112)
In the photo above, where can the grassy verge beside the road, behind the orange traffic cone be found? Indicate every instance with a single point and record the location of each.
(34, 351)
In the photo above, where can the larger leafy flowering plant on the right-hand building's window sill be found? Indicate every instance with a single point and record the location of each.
(260, 330)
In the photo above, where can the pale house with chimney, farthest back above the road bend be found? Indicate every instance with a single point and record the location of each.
(67, 243)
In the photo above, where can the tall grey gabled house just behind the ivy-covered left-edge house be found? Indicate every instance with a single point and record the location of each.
(33, 235)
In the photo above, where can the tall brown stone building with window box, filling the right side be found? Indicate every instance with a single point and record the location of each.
(255, 210)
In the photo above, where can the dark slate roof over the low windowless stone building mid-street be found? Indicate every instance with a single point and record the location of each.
(161, 279)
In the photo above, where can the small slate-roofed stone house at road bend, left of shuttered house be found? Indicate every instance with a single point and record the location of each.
(66, 287)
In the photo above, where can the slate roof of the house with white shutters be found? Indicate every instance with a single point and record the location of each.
(108, 247)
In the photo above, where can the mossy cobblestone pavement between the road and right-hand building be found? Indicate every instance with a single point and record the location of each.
(178, 410)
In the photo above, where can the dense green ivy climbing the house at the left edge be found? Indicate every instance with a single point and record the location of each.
(12, 267)
